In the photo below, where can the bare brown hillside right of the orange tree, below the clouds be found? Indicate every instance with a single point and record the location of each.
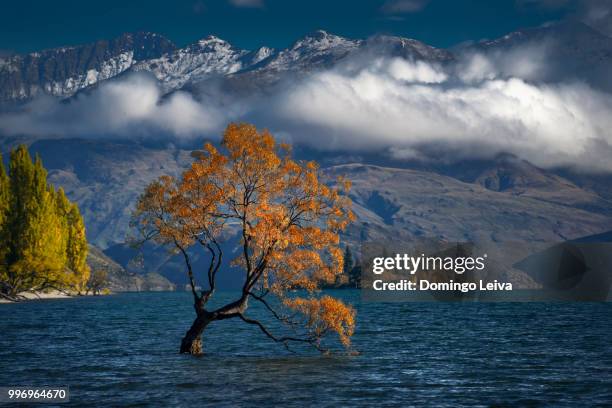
(405, 202)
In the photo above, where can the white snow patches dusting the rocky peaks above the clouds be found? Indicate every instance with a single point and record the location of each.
(213, 56)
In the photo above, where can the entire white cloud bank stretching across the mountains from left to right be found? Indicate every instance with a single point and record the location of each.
(479, 107)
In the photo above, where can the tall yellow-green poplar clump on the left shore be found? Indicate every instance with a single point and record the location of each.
(41, 231)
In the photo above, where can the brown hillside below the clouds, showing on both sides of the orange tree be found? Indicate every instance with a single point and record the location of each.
(505, 201)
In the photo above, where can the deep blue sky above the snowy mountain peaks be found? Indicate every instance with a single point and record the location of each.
(31, 25)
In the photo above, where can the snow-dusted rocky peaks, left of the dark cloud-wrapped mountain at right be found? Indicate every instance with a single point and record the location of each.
(62, 72)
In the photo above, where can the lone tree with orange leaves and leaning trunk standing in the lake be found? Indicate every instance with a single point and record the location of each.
(288, 222)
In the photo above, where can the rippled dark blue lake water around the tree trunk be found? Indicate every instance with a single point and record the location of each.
(122, 350)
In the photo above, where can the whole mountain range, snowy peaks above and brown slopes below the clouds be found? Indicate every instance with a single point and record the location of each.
(501, 200)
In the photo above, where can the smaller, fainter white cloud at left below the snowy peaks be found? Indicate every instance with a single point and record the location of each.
(130, 107)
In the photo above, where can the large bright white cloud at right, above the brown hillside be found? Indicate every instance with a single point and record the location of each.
(550, 125)
